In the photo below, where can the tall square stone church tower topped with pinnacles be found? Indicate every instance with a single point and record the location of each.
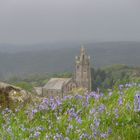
(83, 70)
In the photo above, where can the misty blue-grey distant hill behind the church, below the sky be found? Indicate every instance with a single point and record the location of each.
(59, 57)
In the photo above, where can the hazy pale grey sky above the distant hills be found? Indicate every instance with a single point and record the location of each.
(36, 21)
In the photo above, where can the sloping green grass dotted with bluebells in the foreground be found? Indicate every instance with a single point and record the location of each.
(113, 115)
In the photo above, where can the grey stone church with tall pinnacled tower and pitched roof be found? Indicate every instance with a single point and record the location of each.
(81, 78)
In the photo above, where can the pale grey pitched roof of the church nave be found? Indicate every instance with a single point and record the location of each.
(56, 83)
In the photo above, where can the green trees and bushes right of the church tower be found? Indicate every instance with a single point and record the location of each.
(107, 77)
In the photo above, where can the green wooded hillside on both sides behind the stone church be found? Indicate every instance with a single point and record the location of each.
(104, 78)
